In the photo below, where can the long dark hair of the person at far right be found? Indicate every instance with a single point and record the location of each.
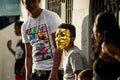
(109, 31)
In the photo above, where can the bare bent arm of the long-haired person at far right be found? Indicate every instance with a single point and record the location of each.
(112, 50)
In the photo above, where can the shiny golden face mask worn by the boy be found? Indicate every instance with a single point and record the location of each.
(62, 38)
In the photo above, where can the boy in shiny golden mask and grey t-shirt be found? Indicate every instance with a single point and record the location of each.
(73, 62)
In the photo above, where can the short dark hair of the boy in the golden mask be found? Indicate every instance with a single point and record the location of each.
(70, 27)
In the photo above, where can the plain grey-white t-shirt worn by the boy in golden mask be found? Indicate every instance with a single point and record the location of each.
(72, 61)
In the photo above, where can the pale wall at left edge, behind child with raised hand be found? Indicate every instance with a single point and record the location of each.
(7, 60)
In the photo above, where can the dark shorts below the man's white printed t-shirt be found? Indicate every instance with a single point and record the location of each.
(44, 75)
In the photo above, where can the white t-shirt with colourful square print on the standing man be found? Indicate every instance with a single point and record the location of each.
(38, 32)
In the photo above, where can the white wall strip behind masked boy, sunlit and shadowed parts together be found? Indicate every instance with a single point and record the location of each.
(80, 20)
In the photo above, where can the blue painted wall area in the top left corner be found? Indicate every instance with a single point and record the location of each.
(9, 7)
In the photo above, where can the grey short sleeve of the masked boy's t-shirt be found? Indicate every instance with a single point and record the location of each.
(76, 61)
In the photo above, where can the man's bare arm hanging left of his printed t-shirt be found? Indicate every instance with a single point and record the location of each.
(28, 60)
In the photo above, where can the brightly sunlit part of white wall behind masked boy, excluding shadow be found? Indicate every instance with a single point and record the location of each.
(79, 12)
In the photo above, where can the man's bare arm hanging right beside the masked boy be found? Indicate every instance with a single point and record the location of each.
(57, 60)
